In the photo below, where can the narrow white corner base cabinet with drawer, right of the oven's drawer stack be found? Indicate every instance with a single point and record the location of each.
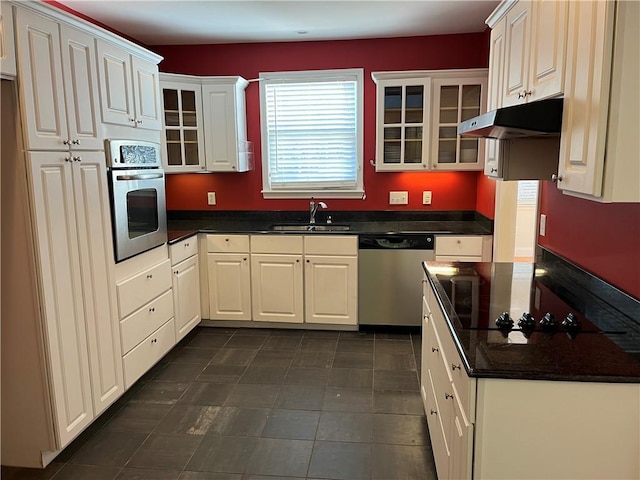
(186, 285)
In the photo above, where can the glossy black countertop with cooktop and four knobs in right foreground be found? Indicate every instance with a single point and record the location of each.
(606, 349)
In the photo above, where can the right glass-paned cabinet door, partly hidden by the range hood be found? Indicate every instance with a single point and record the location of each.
(454, 101)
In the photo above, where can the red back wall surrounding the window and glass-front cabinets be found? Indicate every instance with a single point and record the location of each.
(451, 191)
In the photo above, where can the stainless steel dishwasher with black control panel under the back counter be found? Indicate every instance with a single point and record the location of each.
(390, 277)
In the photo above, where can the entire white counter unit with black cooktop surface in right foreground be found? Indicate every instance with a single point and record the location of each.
(559, 399)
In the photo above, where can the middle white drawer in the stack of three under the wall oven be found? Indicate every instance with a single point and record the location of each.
(140, 324)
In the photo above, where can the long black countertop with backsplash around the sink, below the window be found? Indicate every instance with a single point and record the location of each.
(184, 224)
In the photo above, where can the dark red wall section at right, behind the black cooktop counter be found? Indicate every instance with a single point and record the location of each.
(603, 239)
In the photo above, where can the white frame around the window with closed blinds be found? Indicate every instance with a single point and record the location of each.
(356, 74)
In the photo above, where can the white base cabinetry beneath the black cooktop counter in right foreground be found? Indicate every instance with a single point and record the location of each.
(516, 428)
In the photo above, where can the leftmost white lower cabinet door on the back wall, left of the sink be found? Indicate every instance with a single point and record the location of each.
(229, 286)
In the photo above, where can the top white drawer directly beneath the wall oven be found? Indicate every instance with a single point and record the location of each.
(143, 287)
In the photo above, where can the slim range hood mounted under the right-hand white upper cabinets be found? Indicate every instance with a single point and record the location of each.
(534, 119)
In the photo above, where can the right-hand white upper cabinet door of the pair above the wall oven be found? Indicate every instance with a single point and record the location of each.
(146, 94)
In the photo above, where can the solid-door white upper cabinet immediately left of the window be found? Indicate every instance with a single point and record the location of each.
(225, 127)
